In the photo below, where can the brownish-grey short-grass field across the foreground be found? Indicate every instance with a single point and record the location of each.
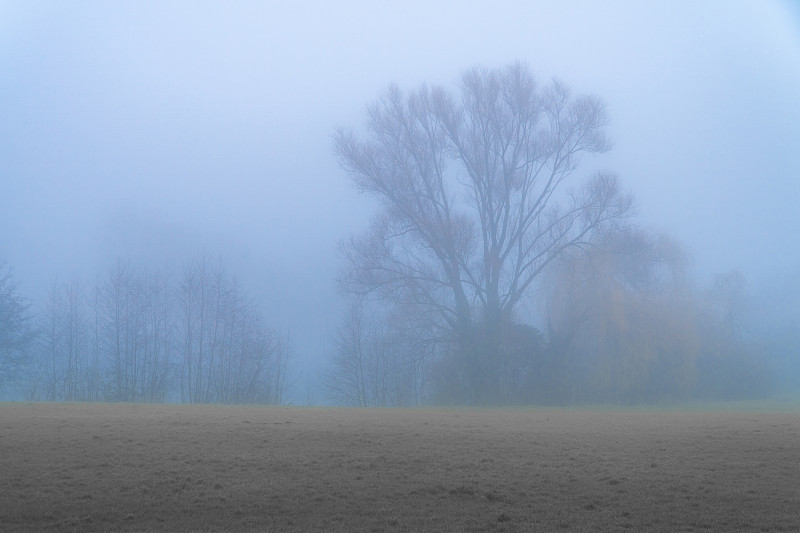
(85, 467)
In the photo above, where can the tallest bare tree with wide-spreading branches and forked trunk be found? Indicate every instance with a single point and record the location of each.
(474, 206)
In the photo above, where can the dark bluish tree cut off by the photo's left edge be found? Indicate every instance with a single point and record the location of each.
(16, 329)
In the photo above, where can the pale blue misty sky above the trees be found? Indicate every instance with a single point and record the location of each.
(153, 130)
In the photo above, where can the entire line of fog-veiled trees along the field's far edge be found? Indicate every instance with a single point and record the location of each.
(498, 270)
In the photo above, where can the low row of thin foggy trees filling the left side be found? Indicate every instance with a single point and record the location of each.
(137, 335)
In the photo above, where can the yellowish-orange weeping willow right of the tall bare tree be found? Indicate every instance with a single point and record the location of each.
(623, 323)
